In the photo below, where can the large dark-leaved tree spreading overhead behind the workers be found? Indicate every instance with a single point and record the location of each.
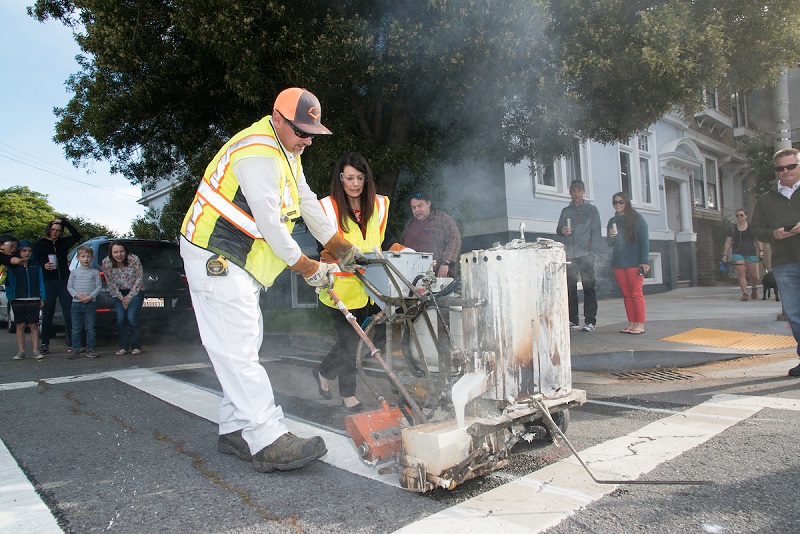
(411, 85)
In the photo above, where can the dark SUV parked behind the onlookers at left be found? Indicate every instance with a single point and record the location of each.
(167, 303)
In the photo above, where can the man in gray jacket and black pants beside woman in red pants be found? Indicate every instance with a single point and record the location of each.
(579, 226)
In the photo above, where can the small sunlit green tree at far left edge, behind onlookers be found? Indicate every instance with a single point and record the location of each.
(24, 213)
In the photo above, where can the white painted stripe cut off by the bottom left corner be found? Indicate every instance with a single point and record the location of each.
(22, 511)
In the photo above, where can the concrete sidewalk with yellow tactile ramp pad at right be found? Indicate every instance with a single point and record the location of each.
(708, 324)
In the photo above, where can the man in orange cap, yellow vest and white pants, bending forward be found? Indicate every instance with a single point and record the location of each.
(236, 239)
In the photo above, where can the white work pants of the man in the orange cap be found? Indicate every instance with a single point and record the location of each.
(231, 327)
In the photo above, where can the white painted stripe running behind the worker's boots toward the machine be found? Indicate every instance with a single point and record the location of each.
(341, 450)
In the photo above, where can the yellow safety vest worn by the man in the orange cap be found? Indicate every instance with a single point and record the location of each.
(220, 219)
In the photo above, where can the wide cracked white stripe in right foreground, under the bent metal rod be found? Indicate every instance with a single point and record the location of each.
(546, 497)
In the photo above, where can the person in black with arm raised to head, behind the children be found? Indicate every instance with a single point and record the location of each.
(55, 246)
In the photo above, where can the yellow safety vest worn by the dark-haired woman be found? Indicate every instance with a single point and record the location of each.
(348, 288)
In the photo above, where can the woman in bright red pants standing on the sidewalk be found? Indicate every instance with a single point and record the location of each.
(630, 258)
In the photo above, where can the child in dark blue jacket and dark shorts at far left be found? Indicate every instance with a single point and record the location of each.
(25, 291)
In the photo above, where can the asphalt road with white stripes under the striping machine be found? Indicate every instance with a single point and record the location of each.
(128, 444)
